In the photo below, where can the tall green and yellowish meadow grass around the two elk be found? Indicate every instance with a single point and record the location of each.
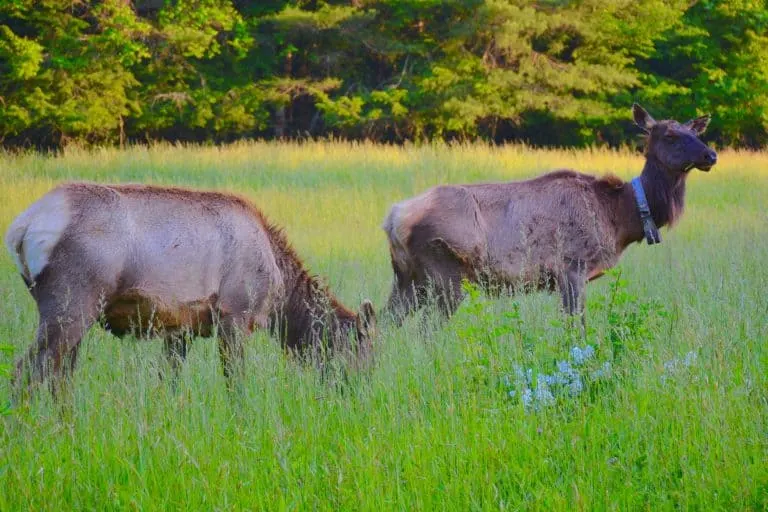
(432, 425)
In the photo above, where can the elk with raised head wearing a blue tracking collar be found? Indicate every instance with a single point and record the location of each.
(553, 232)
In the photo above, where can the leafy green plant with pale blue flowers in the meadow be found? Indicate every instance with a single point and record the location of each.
(630, 324)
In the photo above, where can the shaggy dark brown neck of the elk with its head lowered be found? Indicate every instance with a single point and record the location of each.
(308, 311)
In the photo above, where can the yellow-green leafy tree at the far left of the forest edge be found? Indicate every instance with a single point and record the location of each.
(70, 69)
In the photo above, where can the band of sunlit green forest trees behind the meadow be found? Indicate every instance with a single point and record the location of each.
(546, 72)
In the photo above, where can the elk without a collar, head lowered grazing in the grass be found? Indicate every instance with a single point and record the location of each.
(169, 262)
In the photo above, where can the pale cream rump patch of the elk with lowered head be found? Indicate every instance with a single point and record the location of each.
(34, 234)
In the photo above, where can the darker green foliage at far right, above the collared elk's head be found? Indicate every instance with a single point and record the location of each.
(715, 61)
